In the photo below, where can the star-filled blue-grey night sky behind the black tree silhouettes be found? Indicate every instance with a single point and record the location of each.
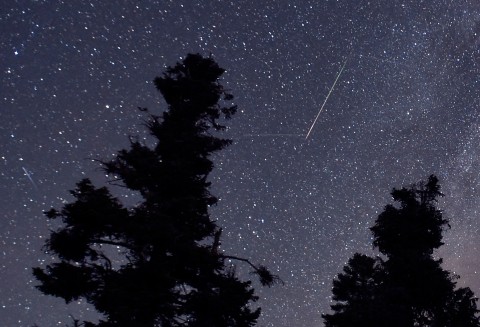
(405, 106)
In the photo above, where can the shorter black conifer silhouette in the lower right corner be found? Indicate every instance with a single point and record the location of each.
(409, 288)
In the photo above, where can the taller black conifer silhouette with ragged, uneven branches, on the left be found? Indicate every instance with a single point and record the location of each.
(157, 263)
